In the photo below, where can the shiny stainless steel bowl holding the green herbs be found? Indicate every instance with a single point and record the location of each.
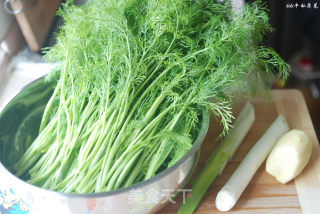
(19, 122)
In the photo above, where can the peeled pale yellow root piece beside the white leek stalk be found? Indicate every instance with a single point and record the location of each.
(289, 156)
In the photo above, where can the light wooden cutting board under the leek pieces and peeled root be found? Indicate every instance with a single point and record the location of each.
(264, 194)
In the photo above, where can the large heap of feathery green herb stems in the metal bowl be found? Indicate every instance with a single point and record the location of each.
(132, 80)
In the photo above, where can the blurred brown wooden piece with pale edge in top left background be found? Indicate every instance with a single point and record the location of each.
(35, 20)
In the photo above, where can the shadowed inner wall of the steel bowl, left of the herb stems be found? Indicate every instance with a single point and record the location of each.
(20, 120)
